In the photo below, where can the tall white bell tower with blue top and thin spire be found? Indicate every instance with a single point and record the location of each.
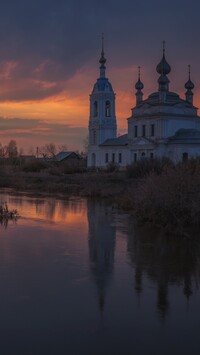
(102, 120)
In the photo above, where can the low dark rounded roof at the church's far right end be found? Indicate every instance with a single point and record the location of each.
(185, 136)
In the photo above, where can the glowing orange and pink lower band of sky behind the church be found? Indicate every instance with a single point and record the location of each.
(62, 117)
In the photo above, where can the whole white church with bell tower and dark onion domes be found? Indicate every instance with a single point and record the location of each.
(162, 125)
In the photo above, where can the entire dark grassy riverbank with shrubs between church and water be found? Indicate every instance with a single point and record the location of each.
(157, 193)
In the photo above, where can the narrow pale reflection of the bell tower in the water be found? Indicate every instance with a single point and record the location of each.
(102, 236)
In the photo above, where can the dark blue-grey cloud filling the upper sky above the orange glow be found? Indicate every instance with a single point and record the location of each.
(49, 40)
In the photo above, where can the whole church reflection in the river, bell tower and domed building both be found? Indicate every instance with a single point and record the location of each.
(162, 262)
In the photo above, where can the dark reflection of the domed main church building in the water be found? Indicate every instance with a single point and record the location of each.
(165, 263)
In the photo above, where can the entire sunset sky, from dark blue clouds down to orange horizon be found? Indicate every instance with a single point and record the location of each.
(49, 52)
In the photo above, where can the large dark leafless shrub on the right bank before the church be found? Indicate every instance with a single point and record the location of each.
(170, 200)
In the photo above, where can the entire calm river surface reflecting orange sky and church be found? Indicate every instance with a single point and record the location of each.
(77, 279)
